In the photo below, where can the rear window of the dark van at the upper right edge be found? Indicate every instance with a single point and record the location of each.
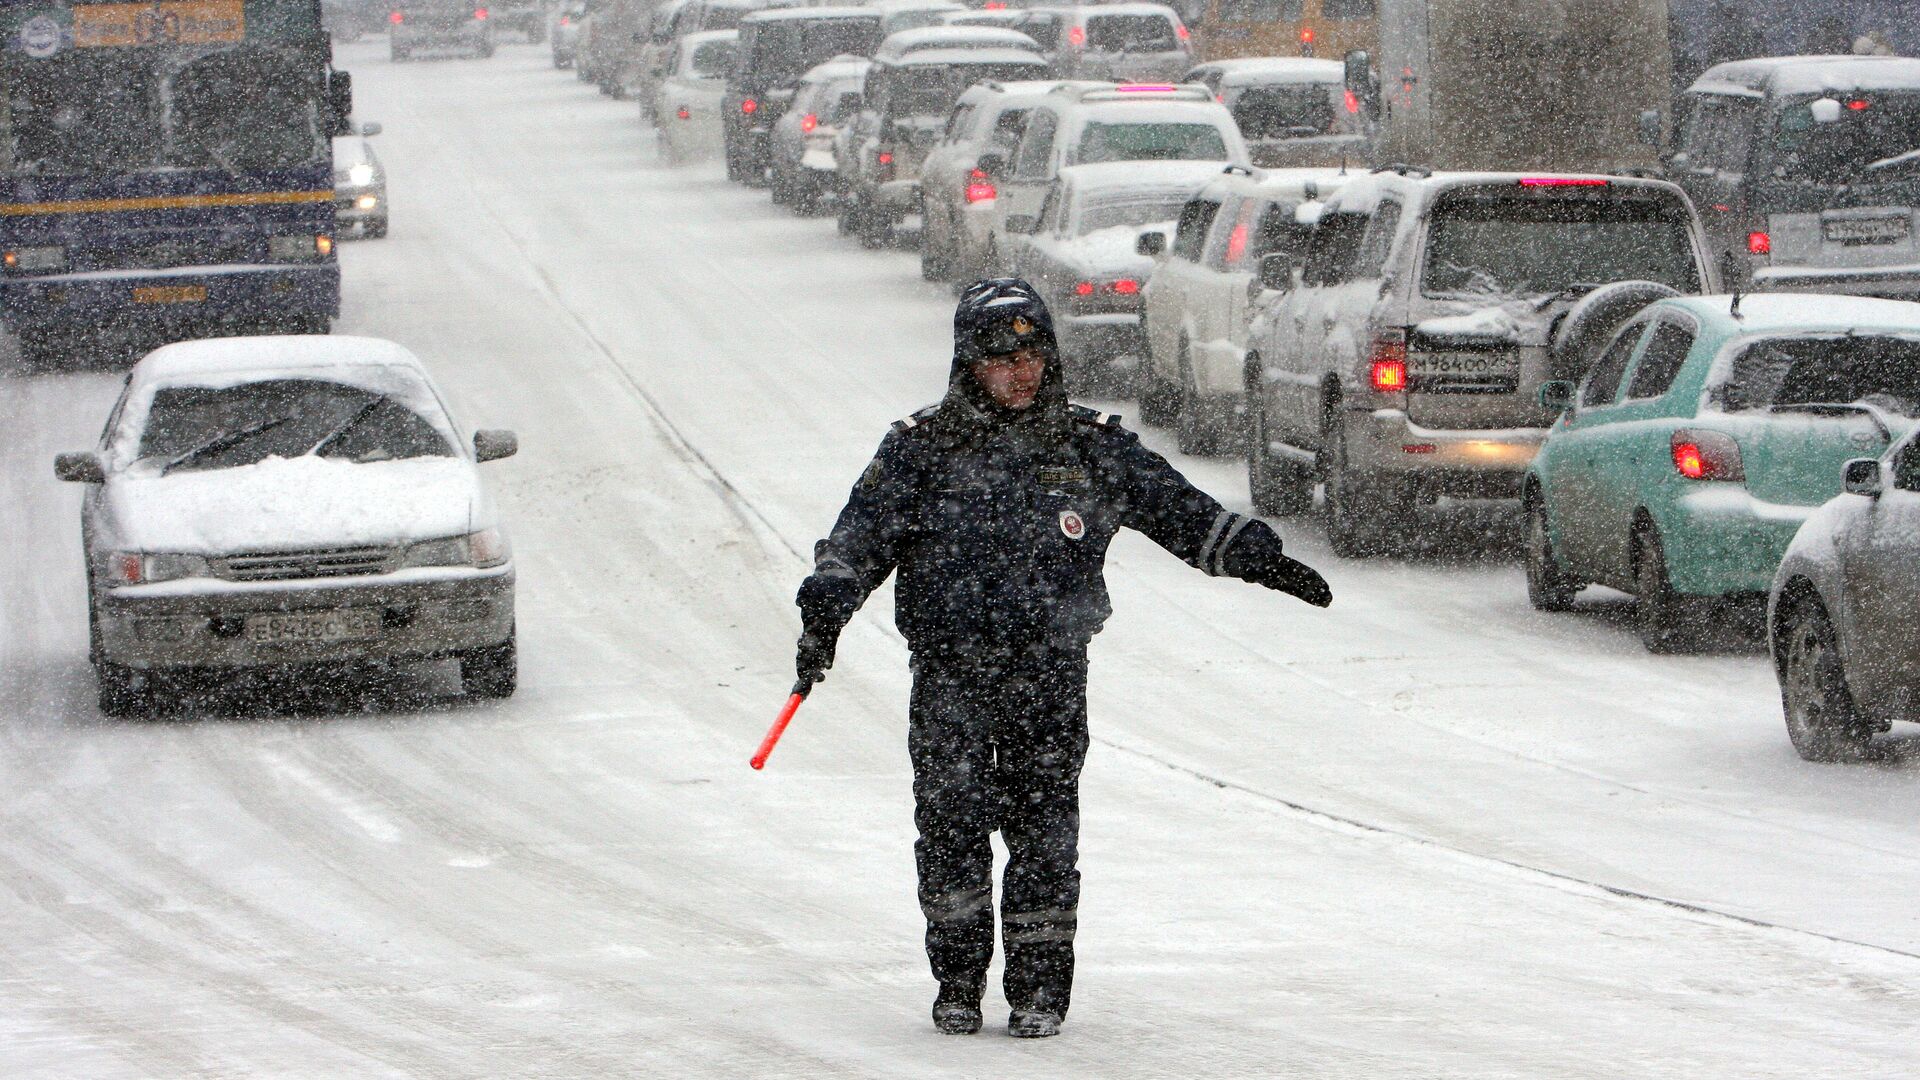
(1877, 137)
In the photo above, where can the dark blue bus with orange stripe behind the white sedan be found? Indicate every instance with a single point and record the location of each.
(166, 172)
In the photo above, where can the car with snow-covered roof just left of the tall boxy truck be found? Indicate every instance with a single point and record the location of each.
(1293, 110)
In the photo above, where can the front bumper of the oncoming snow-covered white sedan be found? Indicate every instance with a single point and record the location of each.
(203, 624)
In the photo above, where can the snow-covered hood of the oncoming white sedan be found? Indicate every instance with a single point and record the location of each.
(295, 504)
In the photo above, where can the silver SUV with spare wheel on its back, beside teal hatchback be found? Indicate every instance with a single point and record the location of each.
(1404, 353)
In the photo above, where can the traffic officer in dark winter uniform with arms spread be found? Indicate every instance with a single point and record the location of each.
(997, 506)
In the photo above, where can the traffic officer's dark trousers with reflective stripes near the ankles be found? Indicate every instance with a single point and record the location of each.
(999, 745)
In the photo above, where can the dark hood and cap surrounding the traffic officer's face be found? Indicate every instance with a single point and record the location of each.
(999, 316)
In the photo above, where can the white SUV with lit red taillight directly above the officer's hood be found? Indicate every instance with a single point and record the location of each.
(955, 193)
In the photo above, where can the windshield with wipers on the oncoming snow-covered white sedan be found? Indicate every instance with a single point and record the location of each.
(224, 428)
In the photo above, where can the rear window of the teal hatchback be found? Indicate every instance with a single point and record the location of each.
(1833, 370)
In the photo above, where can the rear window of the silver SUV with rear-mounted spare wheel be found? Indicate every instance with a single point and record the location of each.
(1543, 247)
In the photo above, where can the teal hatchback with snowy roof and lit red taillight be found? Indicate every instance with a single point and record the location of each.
(1700, 441)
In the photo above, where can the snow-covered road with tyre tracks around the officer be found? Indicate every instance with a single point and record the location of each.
(1428, 833)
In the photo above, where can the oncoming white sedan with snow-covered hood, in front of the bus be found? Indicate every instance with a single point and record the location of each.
(262, 503)
